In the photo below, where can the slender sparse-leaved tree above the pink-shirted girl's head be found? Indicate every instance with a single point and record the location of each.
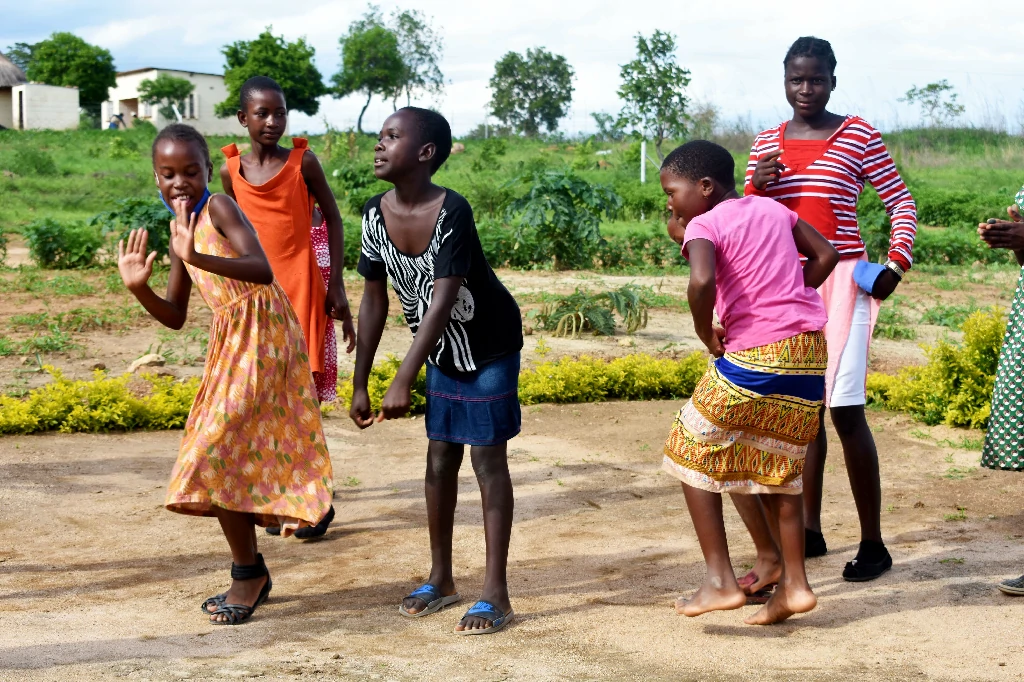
(654, 92)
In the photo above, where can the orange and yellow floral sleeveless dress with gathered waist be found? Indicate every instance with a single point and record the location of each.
(254, 441)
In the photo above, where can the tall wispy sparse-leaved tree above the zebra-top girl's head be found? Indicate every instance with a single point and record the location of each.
(421, 49)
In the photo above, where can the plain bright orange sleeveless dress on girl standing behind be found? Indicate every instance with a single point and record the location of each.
(281, 210)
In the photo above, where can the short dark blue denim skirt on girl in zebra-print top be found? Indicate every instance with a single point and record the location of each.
(476, 408)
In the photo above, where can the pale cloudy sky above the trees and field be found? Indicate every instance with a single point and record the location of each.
(734, 50)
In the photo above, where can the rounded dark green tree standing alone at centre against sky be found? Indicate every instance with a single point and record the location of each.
(533, 91)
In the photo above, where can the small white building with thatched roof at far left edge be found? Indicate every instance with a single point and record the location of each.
(27, 106)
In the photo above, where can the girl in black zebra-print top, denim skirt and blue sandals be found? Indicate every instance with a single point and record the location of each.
(467, 328)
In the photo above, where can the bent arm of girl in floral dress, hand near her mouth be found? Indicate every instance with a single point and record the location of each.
(251, 266)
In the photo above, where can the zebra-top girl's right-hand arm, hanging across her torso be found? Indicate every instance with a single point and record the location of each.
(399, 398)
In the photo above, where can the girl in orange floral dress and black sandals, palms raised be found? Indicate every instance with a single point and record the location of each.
(253, 452)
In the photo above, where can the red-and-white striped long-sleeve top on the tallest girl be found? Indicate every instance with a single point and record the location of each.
(855, 154)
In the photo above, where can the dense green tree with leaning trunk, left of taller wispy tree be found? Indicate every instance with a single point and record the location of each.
(371, 63)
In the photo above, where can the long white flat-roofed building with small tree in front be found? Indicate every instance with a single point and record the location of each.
(198, 110)
